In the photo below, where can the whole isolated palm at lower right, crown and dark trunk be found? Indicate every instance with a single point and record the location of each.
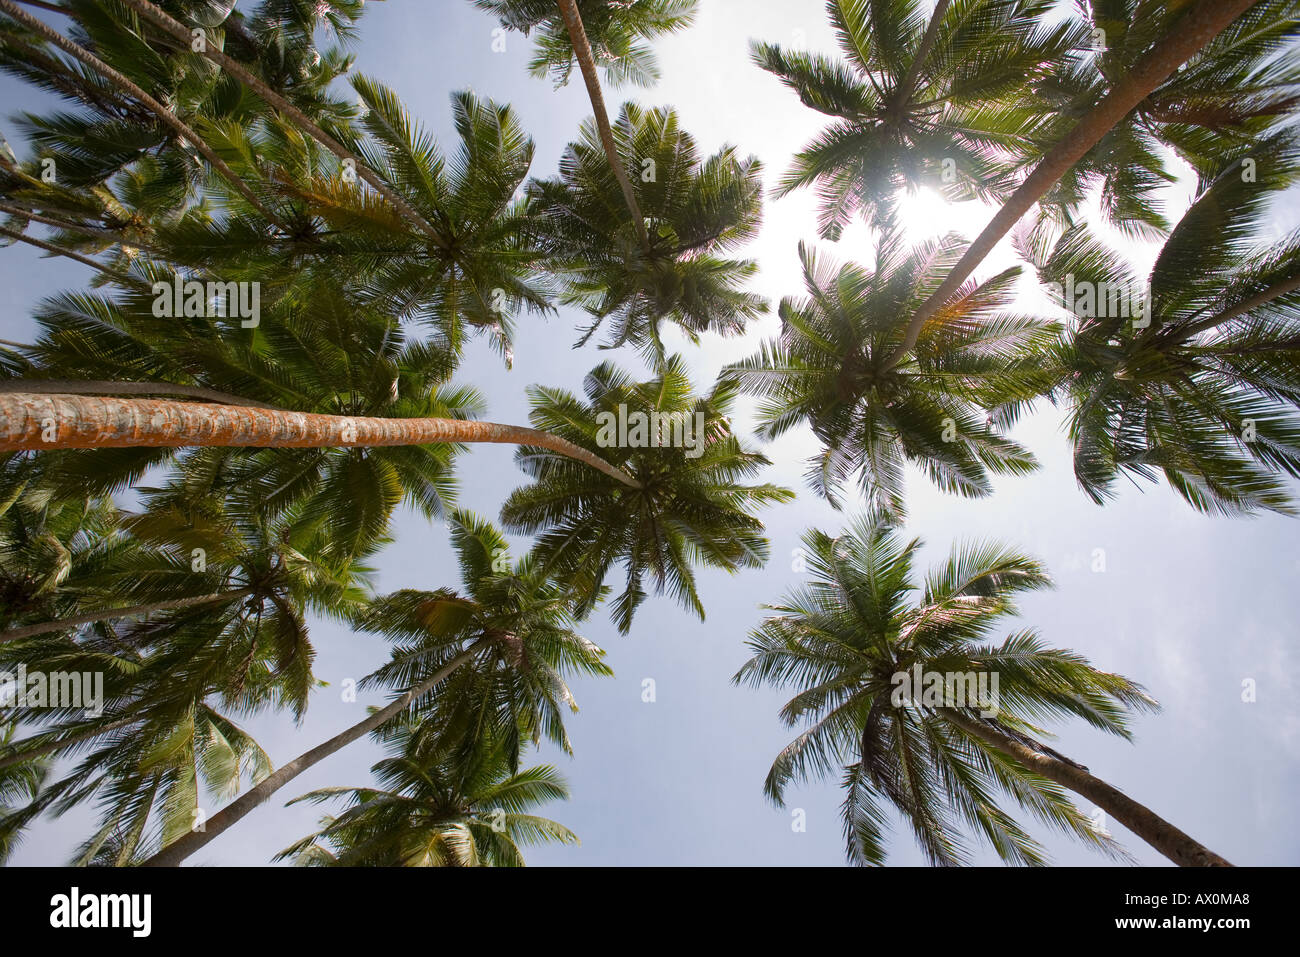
(848, 639)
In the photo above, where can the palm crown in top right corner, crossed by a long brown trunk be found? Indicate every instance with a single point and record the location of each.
(1228, 97)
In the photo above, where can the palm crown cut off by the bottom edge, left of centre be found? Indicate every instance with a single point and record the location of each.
(436, 809)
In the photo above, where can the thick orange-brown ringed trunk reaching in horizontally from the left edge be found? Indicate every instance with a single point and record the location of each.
(85, 422)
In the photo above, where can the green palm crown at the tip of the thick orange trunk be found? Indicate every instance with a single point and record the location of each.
(691, 506)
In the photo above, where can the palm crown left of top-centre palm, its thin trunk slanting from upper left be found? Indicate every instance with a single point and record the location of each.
(486, 269)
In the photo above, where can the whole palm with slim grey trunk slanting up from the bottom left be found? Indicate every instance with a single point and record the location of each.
(514, 627)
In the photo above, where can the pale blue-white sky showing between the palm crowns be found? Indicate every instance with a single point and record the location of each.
(1189, 605)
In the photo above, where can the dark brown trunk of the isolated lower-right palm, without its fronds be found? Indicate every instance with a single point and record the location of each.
(1138, 819)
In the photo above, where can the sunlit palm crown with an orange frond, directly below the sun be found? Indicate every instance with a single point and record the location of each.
(942, 409)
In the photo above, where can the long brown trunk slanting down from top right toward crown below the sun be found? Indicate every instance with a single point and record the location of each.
(1201, 25)
